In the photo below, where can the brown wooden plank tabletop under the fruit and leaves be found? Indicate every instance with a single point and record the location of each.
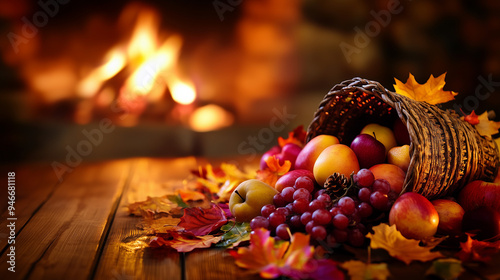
(78, 228)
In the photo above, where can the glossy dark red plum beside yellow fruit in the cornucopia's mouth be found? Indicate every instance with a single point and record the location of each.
(368, 150)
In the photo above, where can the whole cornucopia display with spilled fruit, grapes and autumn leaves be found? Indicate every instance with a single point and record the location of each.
(375, 169)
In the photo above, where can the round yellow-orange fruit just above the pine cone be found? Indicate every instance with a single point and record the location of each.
(336, 158)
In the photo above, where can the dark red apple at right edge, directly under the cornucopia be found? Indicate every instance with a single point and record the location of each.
(479, 193)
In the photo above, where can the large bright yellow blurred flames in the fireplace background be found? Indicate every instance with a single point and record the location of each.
(149, 62)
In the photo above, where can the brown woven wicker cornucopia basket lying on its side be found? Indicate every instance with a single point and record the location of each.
(446, 152)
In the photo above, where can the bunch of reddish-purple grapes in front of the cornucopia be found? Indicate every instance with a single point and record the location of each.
(306, 207)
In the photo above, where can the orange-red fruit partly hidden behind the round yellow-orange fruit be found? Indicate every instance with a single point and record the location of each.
(307, 157)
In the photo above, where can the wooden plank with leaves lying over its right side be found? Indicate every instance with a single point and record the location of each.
(151, 177)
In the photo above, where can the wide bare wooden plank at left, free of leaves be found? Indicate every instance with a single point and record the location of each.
(61, 239)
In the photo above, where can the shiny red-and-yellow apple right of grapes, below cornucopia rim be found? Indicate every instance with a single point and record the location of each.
(414, 216)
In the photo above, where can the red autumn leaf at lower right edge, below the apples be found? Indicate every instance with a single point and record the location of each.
(479, 251)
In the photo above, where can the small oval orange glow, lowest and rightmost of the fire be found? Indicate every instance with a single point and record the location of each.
(210, 117)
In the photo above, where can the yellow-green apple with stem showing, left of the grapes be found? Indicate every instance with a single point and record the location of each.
(248, 198)
